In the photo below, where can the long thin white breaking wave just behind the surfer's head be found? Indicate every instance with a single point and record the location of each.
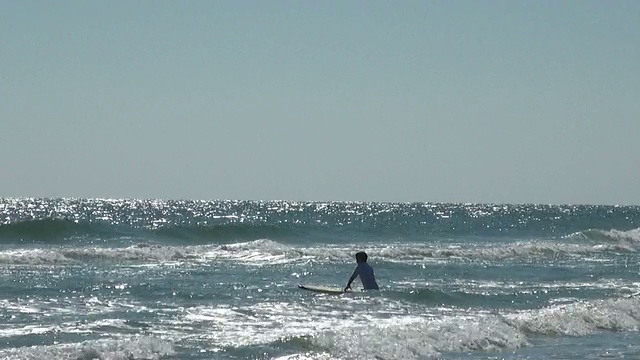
(266, 251)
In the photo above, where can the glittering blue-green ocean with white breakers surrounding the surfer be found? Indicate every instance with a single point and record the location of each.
(157, 279)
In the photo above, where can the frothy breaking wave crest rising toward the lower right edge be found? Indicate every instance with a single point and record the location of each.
(430, 337)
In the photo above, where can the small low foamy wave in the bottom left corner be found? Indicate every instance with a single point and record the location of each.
(121, 349)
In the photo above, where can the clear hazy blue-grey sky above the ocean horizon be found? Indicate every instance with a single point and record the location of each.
(428, 101)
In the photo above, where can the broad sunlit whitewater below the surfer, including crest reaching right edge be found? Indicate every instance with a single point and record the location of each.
(345, 331)
